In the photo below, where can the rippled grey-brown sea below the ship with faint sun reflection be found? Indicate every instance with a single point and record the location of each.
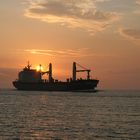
(102, 115)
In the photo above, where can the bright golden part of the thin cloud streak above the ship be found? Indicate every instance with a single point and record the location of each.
(83, 52)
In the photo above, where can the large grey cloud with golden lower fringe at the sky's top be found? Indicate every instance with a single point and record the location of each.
(73, 13)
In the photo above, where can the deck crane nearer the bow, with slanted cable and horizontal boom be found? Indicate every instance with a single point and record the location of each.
(82, 70)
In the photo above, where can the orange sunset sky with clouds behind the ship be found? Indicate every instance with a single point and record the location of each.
(103, 35)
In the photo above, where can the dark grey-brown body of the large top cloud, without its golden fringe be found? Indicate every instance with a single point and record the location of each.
(58, 8)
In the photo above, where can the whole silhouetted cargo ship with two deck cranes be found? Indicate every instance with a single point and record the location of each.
(32, 79)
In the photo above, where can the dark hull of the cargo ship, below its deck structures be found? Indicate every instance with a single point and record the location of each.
(57, 86)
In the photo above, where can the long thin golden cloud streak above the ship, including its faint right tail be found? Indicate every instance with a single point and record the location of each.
(68, 53)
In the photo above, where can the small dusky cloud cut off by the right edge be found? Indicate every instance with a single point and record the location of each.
(133, 34)
